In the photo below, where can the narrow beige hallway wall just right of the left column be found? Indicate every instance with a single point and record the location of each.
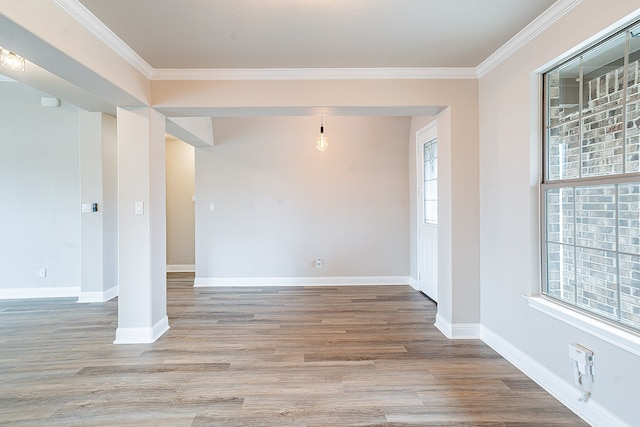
(180, 207)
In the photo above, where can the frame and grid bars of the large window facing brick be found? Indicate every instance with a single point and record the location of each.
(573, 313)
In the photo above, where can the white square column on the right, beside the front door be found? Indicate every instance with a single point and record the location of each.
(458, 314)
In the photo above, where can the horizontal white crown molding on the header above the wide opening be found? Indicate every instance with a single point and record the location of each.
(314, 73)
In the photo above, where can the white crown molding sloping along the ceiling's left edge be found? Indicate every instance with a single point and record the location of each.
(97, 28)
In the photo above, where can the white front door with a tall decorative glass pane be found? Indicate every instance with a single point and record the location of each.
(427, 156)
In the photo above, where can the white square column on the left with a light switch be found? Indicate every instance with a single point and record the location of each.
(142, 305)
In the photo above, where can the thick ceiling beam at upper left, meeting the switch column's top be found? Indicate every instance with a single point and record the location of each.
(55, 42)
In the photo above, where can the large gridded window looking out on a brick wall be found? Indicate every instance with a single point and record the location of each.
(591, 185)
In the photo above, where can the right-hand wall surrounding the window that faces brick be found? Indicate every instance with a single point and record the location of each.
(509, 170)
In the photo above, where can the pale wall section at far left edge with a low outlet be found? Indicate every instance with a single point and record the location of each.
(39, 191)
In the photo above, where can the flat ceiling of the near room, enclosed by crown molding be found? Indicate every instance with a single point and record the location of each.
(263, 34)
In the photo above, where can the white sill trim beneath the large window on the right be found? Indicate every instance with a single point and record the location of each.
(613, 335)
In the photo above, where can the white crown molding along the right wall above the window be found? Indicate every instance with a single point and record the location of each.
(538, 25)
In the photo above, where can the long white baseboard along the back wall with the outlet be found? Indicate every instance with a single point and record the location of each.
(301, 281)
